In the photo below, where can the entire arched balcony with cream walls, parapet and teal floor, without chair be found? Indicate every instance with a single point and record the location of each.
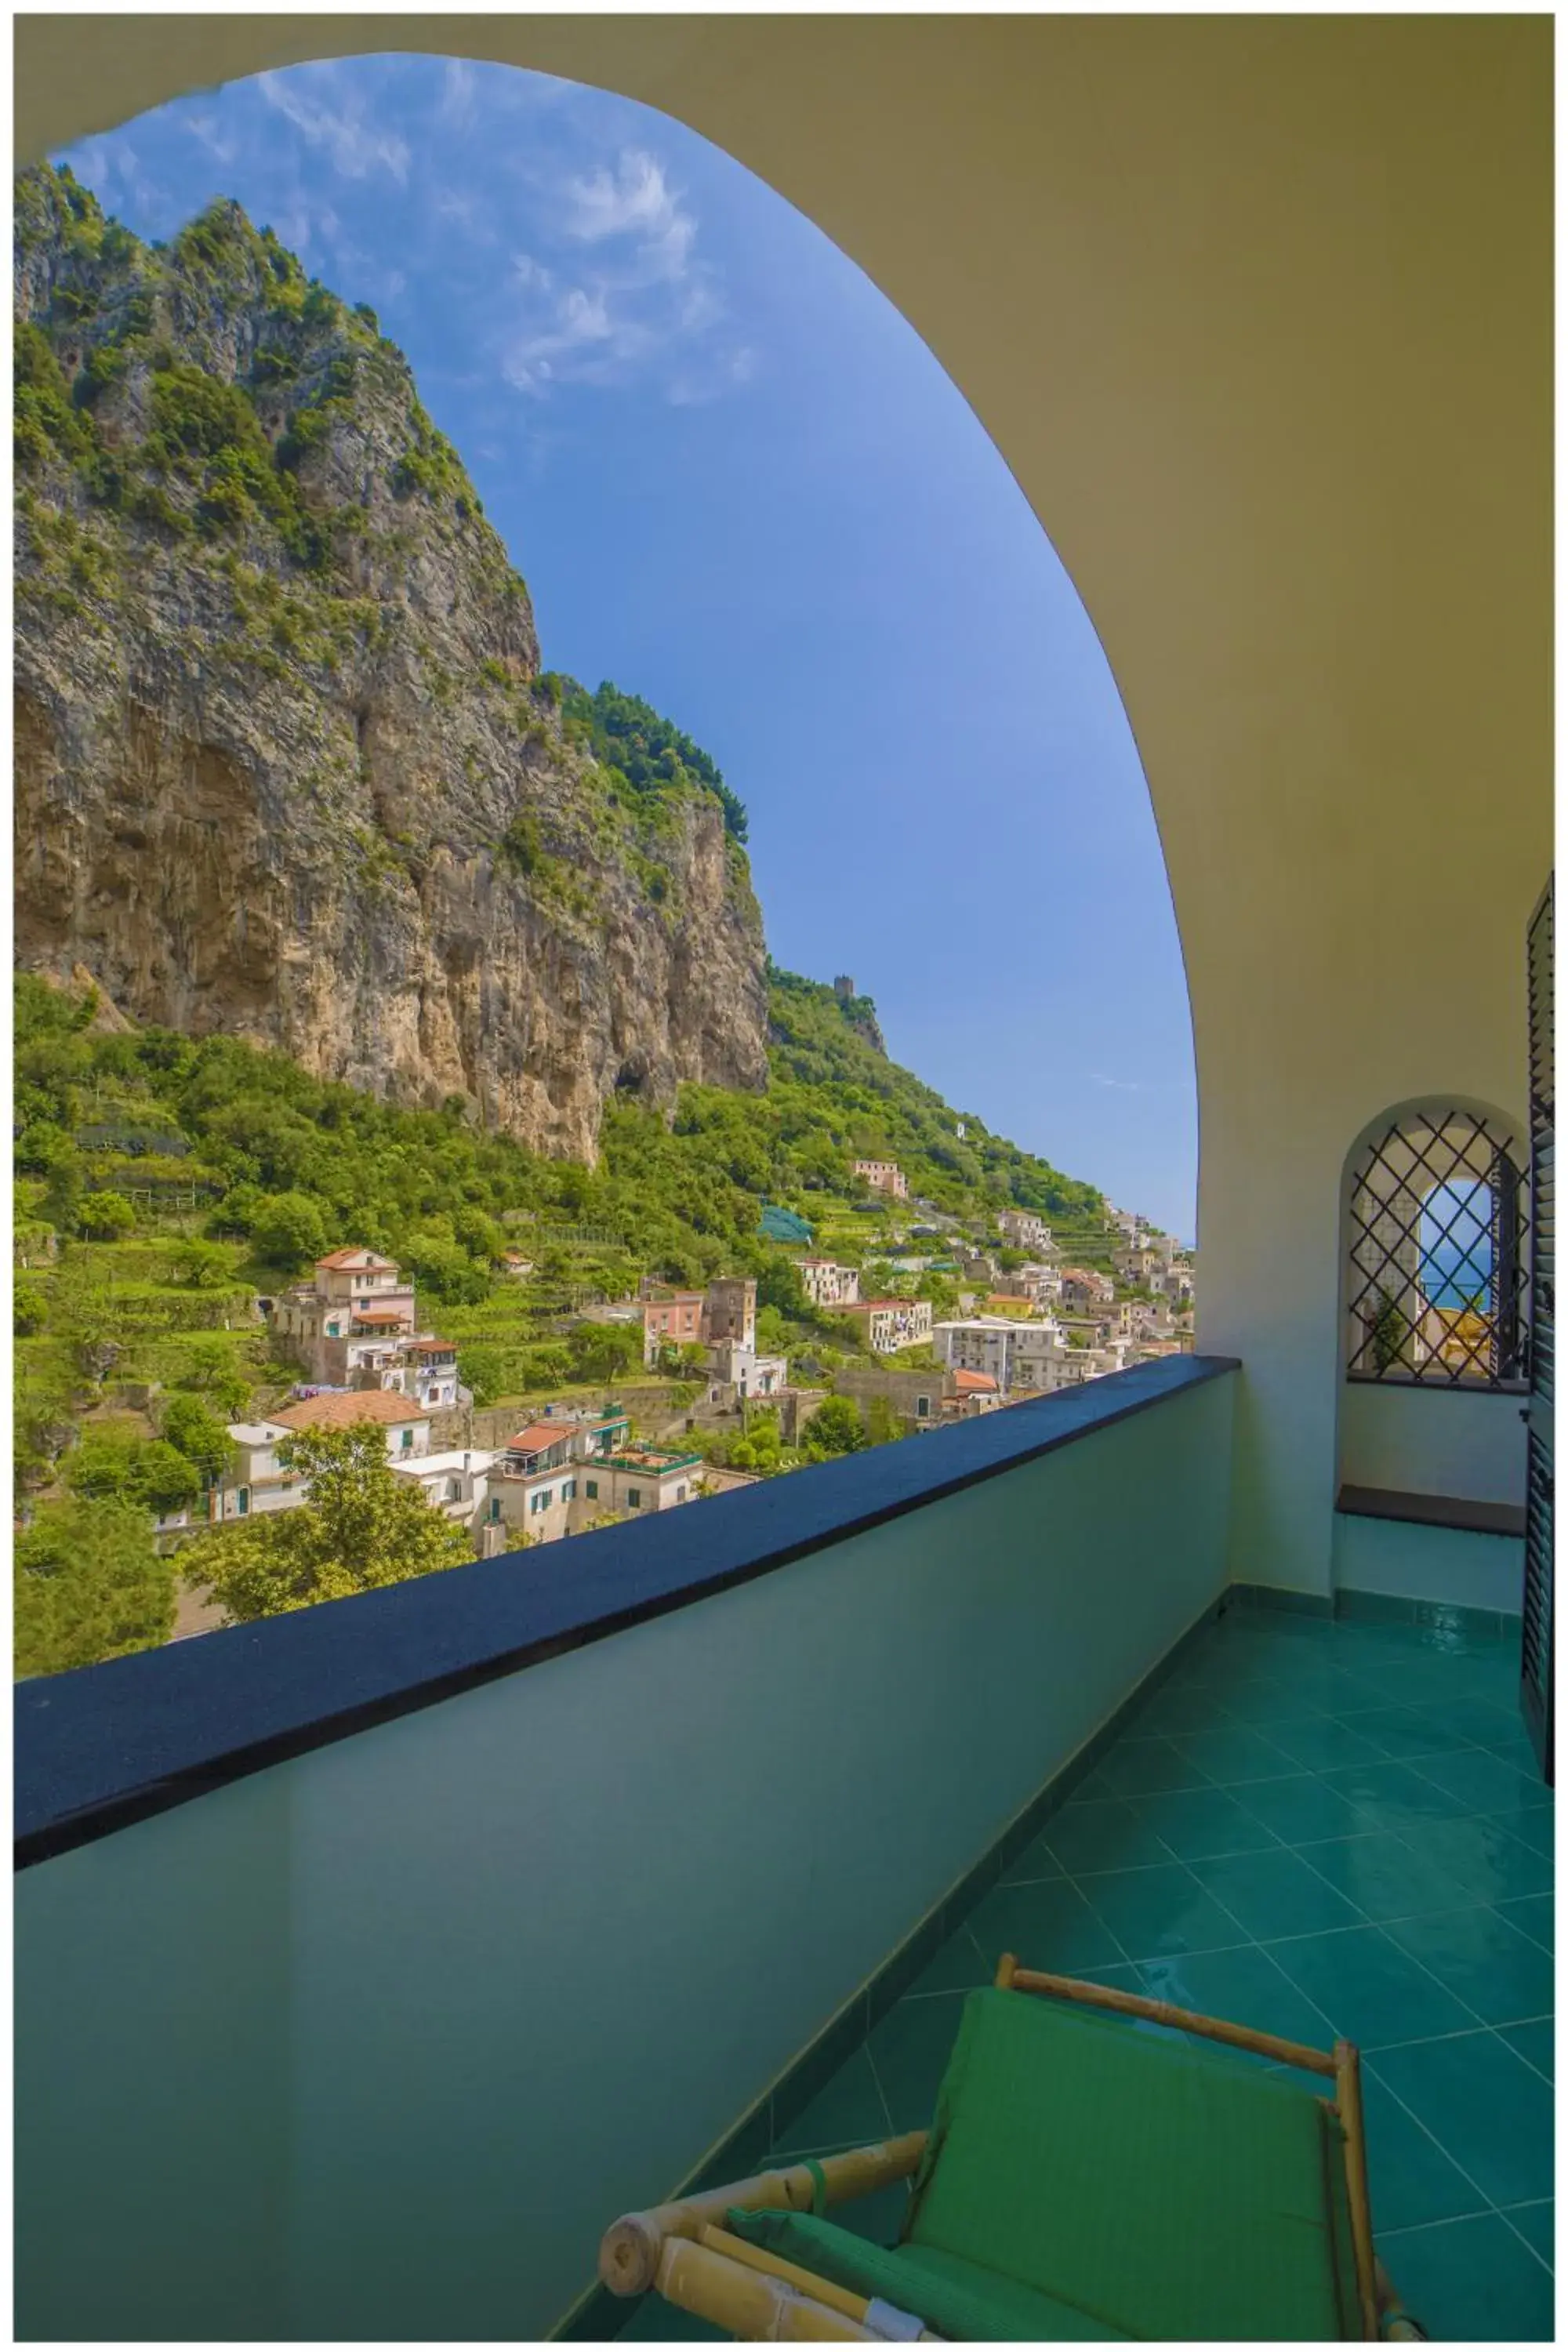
(375, 1958)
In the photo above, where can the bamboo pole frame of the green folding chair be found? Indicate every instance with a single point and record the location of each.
(699, 2266)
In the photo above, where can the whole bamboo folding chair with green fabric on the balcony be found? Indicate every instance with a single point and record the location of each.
(1019, 2224)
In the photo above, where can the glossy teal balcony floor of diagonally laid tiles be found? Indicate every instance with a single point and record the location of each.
(1318, 1831)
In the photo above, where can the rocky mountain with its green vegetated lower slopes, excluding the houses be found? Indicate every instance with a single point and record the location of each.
(344, 923)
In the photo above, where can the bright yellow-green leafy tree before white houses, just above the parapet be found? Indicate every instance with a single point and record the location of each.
(363, 1528)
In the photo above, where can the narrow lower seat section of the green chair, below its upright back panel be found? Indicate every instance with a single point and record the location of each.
(953, 2297)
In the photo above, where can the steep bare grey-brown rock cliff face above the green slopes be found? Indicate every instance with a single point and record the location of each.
(286, 759)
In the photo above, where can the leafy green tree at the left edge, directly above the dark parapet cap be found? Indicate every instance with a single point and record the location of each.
(88, 1586)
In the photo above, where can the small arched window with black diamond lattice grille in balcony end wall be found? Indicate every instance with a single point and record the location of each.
(1438, 1264)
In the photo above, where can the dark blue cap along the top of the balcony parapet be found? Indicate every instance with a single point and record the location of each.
(112, 1744)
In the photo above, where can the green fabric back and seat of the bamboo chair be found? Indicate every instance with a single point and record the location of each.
(1090, 2179)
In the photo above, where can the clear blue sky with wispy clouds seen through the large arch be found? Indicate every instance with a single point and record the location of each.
(739, 486)
